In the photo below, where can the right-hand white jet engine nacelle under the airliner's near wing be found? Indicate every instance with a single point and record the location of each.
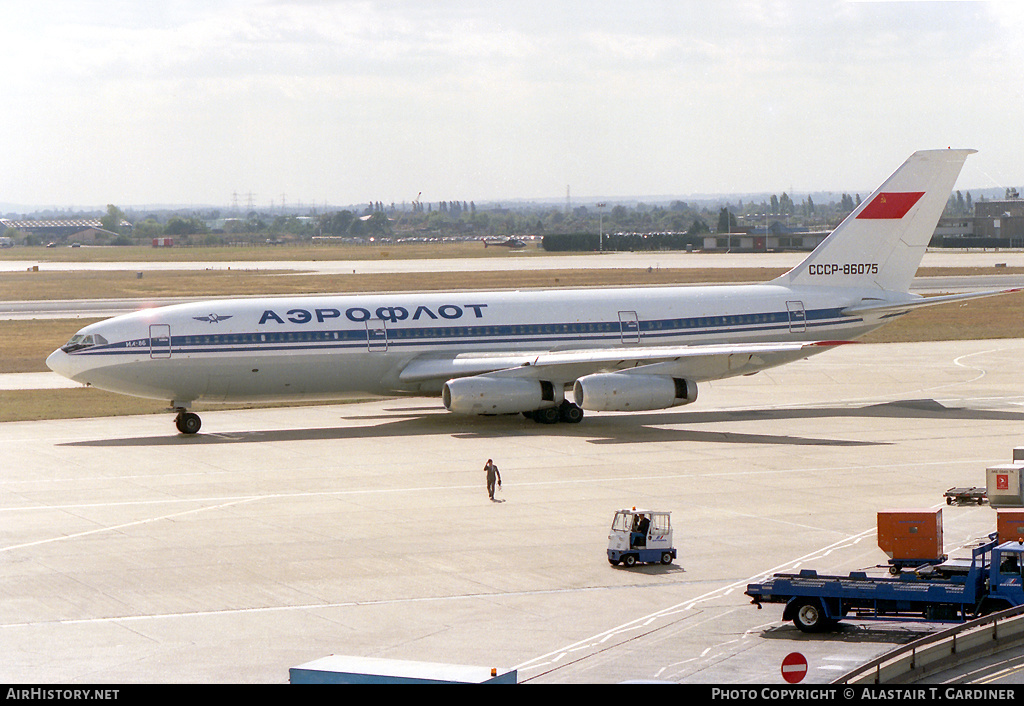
(628, 393)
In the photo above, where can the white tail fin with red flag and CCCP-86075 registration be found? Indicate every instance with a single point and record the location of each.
(882, 242)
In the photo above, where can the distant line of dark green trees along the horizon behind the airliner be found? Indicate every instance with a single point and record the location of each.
(459, 218)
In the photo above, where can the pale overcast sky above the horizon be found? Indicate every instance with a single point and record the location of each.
(192, 102)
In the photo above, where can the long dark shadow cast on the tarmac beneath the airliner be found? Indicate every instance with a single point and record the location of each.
(412, 422)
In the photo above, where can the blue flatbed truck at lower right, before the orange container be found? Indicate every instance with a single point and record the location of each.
(951, 592)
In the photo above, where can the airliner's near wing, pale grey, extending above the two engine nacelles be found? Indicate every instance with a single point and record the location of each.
(698, 363)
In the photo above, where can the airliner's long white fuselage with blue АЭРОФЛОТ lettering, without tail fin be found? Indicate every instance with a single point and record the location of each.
(323, 348)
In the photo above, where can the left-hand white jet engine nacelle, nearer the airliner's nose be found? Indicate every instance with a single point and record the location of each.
(482, 395)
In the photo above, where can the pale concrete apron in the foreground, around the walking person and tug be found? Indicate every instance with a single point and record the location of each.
(278, 536)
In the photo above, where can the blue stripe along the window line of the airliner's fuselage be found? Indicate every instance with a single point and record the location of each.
(603, 333)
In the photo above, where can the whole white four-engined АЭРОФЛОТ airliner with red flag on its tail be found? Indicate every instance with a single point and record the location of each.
(549, 355)
